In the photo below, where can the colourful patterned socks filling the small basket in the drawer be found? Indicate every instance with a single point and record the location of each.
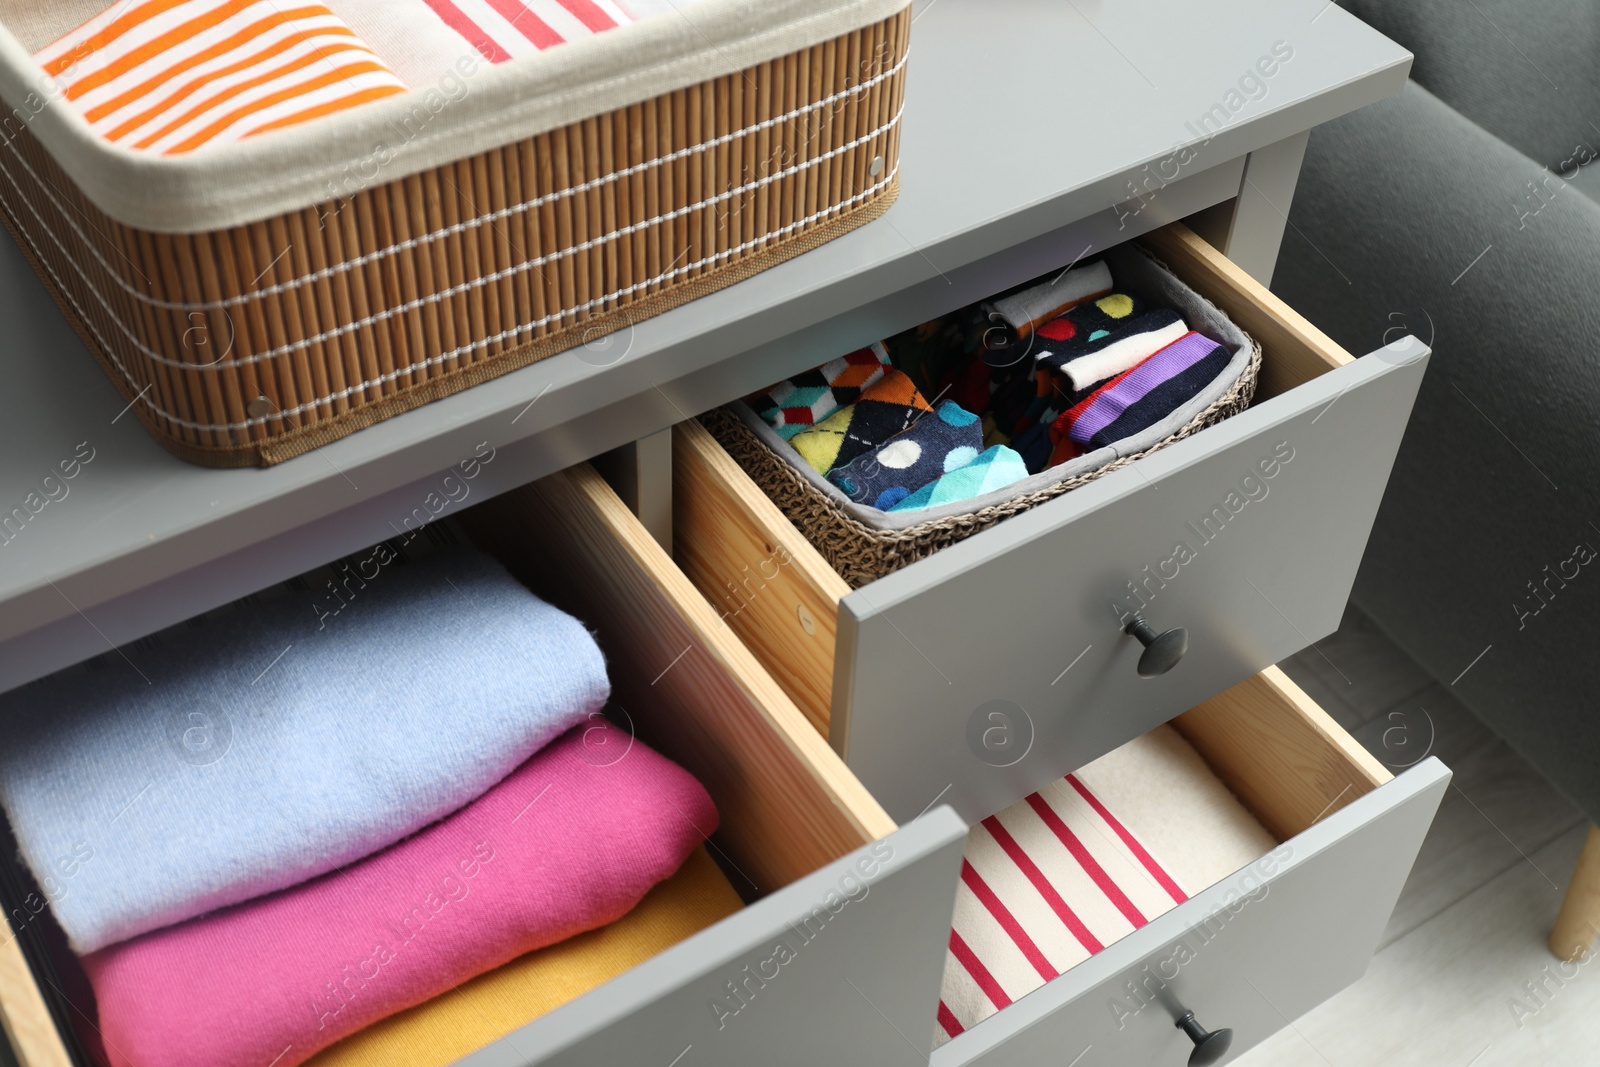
(1023, 383)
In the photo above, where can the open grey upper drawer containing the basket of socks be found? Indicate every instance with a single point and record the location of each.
(978, 673)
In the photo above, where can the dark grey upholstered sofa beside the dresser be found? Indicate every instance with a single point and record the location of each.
(1465, 212)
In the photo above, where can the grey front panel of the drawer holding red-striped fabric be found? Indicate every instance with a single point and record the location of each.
(1250, 954)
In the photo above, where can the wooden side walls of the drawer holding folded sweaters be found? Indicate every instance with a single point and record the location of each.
(687, 685)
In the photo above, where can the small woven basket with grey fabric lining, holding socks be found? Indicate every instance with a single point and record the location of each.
(863, 553)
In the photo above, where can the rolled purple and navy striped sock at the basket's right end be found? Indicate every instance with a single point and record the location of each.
(1167, 380)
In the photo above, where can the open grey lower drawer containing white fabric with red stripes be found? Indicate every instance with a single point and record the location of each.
(1266, 945)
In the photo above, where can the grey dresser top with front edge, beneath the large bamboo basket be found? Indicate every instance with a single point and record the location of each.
(137, 521)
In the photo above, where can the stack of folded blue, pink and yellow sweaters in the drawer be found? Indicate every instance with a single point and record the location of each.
(297, 826)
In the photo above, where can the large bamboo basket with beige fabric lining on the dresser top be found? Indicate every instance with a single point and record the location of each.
(262, 302)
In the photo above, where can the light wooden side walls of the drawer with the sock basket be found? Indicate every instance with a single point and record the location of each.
(782, 596)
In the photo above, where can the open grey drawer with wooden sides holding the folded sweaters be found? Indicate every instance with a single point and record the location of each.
(823, 868)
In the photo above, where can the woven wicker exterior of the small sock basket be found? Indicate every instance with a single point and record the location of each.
(863, 554)
